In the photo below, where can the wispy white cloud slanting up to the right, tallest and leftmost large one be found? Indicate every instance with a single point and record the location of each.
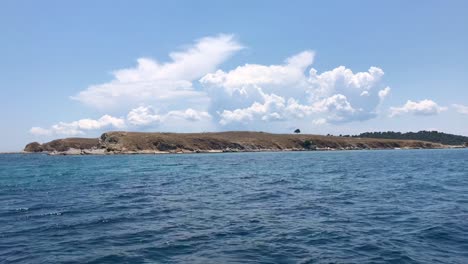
(166, 84)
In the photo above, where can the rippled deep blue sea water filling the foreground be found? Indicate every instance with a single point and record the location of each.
(397, 206)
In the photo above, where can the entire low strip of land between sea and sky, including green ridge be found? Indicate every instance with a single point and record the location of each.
(119, 142)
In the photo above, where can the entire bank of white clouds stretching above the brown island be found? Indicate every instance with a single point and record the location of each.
(191, 93)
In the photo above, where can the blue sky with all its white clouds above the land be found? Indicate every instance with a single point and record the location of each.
(80, 68)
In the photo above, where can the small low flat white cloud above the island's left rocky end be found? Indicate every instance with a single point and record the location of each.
(79, 127)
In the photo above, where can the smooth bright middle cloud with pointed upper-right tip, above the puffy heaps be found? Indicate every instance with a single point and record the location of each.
(244, 85)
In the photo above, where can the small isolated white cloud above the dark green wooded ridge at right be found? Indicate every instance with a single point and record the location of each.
(423, 107)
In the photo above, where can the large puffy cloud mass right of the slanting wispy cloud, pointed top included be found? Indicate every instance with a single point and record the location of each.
(254, 92)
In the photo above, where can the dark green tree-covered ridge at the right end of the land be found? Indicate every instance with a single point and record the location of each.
(431, 136)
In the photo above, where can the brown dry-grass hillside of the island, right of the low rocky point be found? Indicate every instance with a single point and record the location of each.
(246, 141)
